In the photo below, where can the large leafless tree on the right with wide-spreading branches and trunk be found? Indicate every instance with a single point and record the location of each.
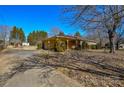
(92, 18)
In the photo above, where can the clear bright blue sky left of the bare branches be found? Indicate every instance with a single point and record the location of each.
(34, 18)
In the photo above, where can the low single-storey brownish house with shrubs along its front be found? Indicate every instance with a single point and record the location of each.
(67, 42)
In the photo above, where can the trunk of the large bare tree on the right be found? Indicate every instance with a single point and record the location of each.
(112, 42)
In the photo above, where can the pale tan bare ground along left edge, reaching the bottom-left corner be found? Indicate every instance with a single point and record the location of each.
(10, 57)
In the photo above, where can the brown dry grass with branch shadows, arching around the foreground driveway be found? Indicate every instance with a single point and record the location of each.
(90, 69)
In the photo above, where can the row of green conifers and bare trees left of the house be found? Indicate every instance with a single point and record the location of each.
(14, 35)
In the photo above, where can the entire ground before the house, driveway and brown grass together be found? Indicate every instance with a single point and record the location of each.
(28, 67)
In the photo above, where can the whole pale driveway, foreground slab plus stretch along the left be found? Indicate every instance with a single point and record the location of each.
(41, 77)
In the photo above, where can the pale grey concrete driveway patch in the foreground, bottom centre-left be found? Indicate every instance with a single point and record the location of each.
(44, 77)
